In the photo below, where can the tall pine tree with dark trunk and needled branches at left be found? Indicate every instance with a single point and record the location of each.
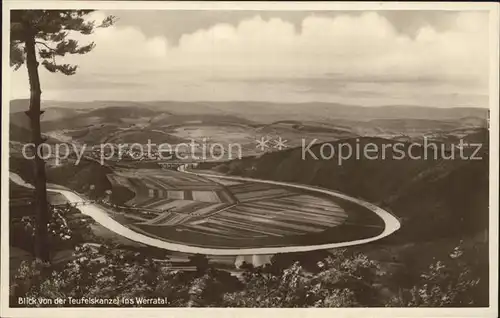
(44, 35)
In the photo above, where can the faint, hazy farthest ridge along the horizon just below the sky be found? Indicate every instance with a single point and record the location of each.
(267, 111)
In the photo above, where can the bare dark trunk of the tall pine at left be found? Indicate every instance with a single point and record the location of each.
(41, 204)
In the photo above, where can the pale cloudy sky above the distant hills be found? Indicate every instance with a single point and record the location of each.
(369, 58)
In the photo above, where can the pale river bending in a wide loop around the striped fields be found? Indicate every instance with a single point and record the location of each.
(102, 217)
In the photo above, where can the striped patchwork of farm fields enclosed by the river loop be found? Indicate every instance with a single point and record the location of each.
(193, 210)
